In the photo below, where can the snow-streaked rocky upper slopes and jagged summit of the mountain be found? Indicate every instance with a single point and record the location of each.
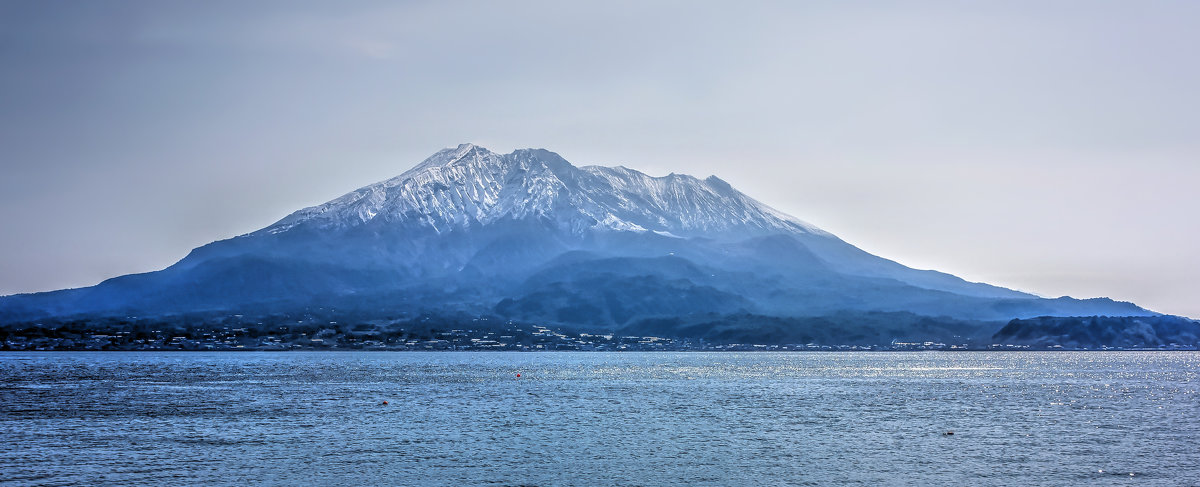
(466, 187)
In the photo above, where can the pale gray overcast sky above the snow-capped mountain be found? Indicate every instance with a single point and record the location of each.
(1051, 147)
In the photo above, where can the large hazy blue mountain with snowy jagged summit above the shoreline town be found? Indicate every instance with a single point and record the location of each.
(530, 237)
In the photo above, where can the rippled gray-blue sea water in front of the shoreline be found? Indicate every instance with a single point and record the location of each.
(599, 419)
